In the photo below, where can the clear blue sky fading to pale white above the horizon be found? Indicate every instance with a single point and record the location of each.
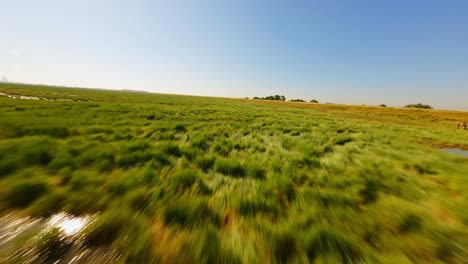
(394, 52)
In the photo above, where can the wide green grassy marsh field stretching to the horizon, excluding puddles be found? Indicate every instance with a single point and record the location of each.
(186, 179)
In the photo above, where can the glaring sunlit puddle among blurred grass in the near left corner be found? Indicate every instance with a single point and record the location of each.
(57, 239)
